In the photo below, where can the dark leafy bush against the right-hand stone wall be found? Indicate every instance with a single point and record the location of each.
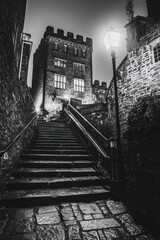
(144, 121)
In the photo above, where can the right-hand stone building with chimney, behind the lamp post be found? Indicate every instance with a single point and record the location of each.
(139, 72)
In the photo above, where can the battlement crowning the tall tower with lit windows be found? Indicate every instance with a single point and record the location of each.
(70, 36)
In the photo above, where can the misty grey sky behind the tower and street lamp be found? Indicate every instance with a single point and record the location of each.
(89, 18)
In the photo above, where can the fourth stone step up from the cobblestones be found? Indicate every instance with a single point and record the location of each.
(54, 164)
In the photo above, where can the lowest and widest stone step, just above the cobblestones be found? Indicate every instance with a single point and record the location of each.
(31, 198)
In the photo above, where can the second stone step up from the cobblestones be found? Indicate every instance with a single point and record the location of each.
(53, 183)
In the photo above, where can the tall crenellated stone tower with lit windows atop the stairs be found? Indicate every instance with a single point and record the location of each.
(62, 67)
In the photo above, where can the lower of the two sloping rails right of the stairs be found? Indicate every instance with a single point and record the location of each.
(103, 153)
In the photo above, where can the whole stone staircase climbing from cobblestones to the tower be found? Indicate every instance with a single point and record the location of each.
(56, 167)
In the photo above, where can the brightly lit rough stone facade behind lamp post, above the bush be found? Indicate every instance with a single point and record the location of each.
(138, 74)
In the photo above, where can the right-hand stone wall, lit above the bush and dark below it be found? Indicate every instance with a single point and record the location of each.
(138, 75)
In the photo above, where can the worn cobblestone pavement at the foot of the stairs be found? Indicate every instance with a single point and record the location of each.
(100, 220)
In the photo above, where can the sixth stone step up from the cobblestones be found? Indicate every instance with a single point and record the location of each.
(56, 151)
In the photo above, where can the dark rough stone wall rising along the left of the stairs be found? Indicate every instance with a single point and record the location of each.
(14, 112)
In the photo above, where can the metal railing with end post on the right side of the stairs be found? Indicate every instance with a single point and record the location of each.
(103, 150)
